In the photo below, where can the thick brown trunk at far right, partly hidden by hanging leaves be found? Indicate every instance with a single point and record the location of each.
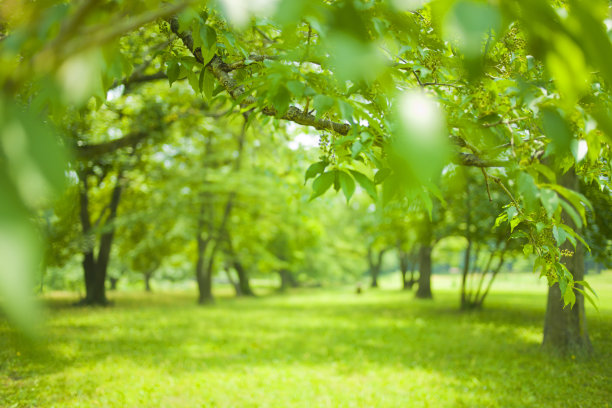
(565, 329)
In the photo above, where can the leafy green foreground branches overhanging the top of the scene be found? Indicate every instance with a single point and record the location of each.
(398, 94)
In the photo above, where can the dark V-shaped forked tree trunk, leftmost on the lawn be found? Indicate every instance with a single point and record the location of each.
(95, 268)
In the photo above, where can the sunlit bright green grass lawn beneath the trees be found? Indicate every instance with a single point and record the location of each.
(316, 348)
